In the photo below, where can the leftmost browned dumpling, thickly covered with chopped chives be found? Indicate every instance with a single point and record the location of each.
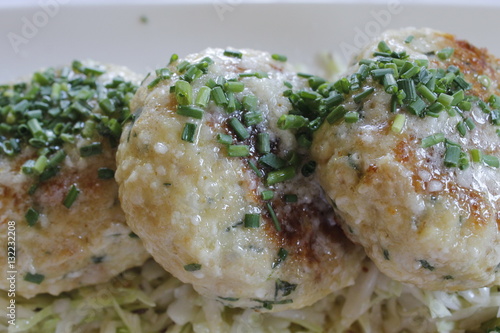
(58, 197)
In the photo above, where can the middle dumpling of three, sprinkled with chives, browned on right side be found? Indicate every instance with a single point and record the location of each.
(219, 189)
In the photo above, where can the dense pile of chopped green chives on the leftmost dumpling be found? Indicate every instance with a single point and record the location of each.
(56, 107)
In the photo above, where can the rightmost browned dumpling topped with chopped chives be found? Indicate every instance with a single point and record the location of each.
(416, 177)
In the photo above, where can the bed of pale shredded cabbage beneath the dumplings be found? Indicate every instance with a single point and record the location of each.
(148, 299)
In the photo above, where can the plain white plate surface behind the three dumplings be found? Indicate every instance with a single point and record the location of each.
(143, 36)
